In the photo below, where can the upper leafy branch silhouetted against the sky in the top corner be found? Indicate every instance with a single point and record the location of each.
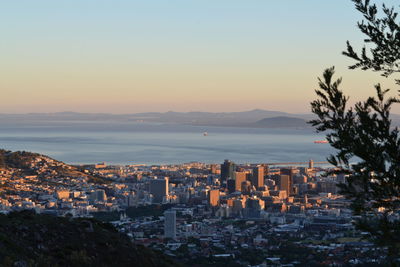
(383, 32)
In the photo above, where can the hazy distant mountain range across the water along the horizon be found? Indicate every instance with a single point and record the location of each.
(254, 118)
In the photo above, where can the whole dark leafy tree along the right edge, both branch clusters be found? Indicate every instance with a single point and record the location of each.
(364, 133)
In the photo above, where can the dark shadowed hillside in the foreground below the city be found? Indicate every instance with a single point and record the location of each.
(28, 239)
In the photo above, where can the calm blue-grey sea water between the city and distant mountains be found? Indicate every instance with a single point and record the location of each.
(134, 143)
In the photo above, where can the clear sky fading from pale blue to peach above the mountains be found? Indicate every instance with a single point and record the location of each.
(127, 56)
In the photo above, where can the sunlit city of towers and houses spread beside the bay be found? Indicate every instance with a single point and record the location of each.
(196, 213)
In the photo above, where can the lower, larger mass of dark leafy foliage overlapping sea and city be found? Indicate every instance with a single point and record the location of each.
(363, 133)
